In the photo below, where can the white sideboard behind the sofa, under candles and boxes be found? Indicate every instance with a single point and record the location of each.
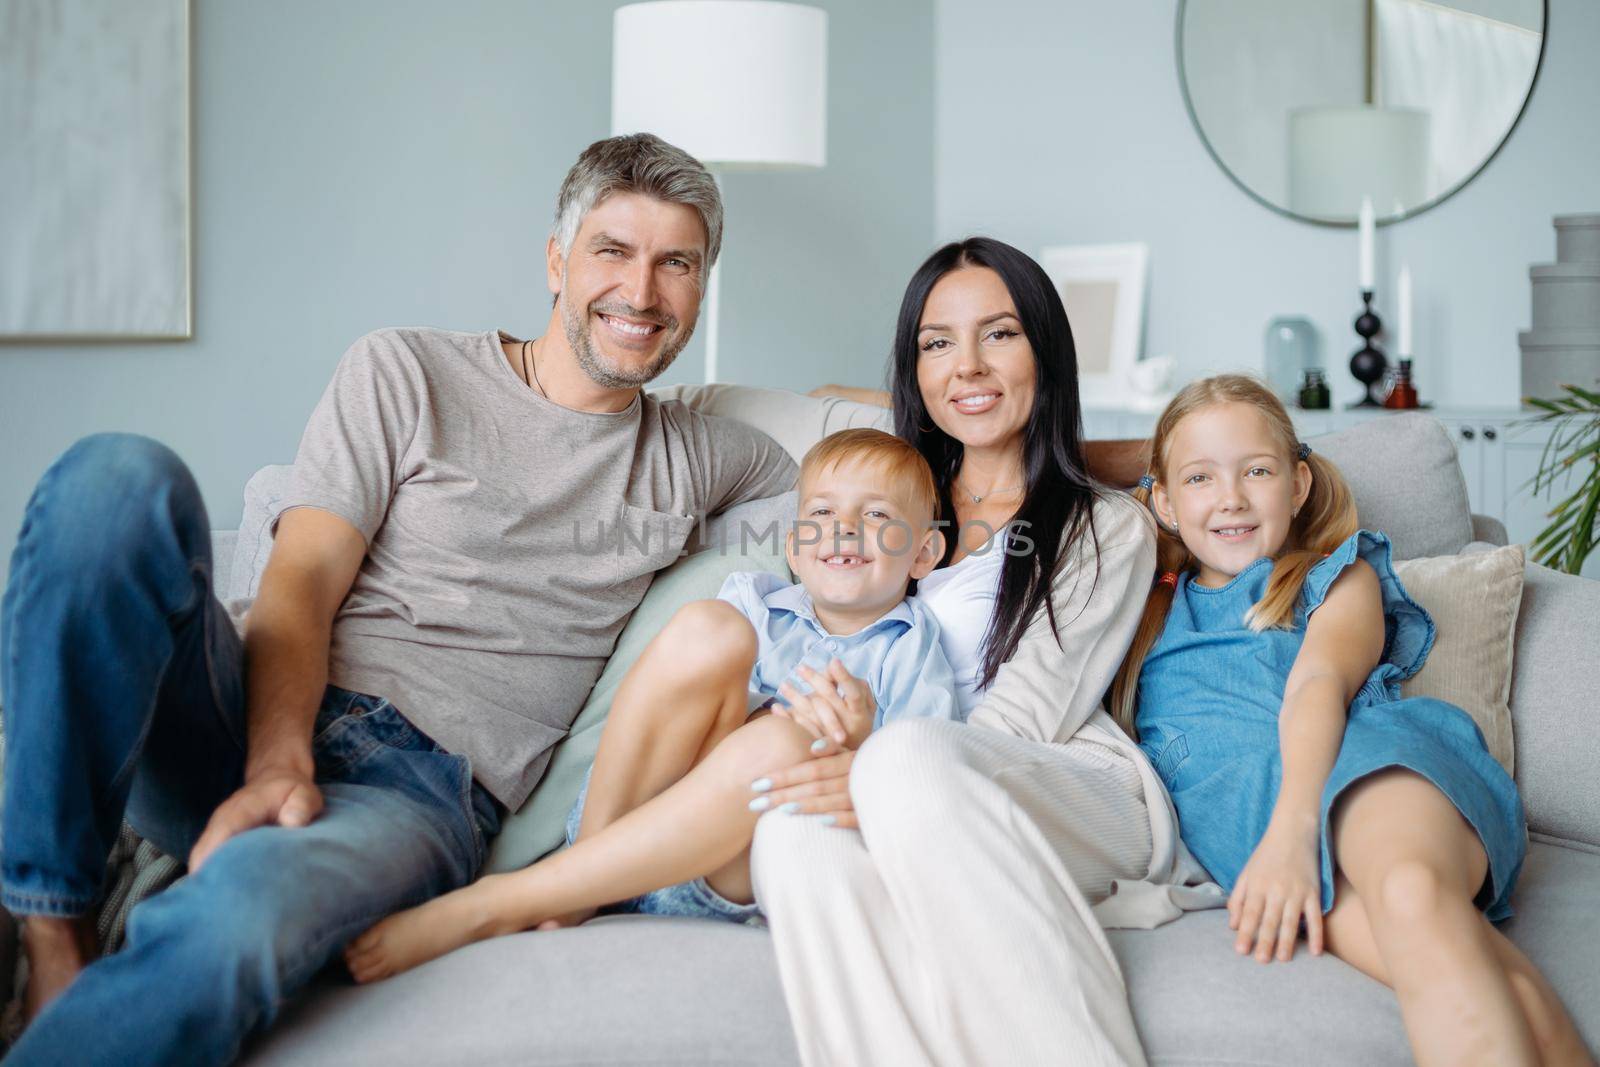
(1500, 452)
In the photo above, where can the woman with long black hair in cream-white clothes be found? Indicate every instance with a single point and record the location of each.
(958, 925)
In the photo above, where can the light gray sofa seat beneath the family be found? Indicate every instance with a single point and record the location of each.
(666, 991)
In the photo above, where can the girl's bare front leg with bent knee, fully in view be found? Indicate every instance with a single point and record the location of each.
(1415, 866)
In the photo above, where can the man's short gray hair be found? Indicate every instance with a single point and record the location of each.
(644, 164)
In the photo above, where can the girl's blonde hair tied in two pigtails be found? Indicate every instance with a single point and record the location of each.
(1326, 521)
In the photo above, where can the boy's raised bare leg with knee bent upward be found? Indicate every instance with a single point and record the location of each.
(687, 692)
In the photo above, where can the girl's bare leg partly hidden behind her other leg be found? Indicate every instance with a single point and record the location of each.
(1350, 937)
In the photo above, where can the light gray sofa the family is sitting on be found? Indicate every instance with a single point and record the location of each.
(652, 991)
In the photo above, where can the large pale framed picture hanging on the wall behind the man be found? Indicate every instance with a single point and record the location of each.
(95, 170)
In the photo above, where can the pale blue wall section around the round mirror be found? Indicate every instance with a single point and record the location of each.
(1063, 124)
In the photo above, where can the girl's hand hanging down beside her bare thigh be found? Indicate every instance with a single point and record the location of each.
(1281, 884)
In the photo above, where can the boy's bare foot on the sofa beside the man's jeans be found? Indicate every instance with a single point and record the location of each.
(418, 935)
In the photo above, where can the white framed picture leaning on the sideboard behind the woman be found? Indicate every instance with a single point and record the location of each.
(1103, 289)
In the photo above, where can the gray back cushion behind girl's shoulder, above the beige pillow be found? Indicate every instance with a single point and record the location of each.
(1407, 482)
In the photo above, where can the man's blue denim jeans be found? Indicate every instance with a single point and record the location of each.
(124, 697)
